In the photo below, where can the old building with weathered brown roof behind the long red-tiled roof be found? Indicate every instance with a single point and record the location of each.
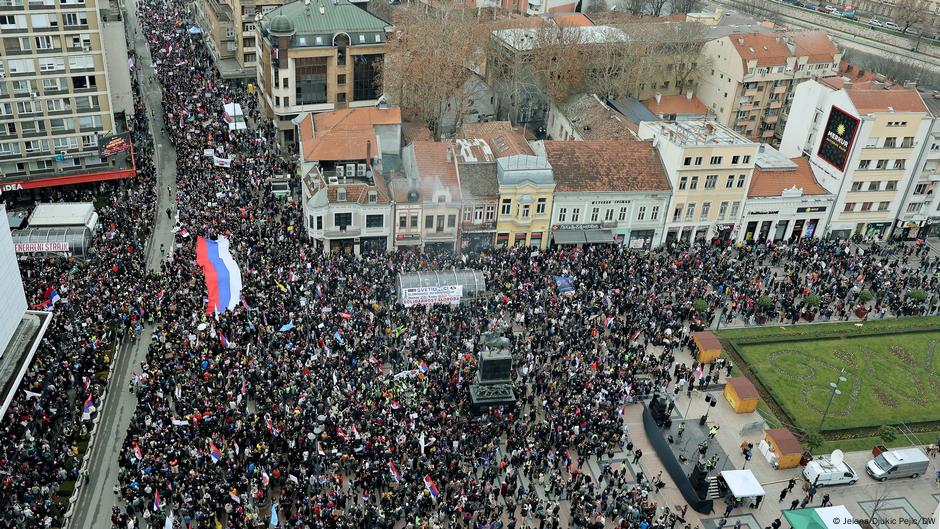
(586, 117)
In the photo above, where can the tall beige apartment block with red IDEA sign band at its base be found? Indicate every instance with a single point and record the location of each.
(56, 93)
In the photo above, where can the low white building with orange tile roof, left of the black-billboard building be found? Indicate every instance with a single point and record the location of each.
(784, 200)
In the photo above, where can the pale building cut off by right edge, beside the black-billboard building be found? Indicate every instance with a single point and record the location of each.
(919, 215)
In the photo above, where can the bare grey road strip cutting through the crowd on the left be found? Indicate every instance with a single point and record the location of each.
(96, 497)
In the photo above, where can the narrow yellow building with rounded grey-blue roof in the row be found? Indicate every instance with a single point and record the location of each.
(526, 187)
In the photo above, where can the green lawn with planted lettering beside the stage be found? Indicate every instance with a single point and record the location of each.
(892, 371)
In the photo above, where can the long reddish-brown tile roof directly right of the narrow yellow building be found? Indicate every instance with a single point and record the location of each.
(606, 166)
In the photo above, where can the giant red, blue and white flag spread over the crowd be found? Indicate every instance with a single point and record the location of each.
(223, 277)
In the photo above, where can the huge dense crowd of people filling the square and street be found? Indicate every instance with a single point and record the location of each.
(305, 399)
